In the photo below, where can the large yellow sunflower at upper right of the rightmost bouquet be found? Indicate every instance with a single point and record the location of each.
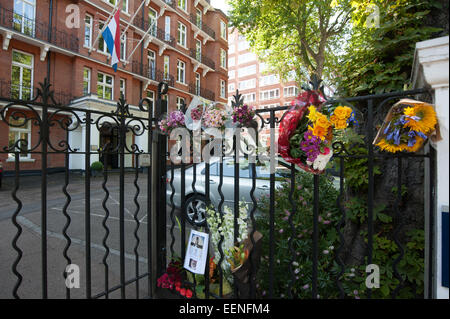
(421, 118)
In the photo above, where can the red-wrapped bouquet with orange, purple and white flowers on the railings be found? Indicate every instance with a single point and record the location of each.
(307, 130)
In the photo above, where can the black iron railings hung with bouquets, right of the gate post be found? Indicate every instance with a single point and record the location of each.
(189, 182)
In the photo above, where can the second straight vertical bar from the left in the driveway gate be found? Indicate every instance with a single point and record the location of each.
(87, 203)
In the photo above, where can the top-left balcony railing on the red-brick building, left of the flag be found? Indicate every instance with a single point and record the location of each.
(37, 30)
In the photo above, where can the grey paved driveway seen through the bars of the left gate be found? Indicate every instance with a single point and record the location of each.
(29, 241)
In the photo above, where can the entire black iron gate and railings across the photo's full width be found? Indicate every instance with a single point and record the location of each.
(143, 195)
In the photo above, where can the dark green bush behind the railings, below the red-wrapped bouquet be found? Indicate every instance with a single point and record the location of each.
(385, 250)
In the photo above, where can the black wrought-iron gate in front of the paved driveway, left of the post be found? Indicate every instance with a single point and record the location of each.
(103, 237)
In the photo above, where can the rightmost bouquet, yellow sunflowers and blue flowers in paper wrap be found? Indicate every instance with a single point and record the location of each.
(407, 126)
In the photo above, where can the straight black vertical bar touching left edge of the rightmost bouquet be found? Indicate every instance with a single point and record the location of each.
(371, 187)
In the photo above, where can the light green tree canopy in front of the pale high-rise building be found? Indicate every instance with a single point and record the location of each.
(292, 34)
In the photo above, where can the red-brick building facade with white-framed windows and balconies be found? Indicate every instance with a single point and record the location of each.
(181, 42)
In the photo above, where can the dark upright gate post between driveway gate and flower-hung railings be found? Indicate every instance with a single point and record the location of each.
(160, 184)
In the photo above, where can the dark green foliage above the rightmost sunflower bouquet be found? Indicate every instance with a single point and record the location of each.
(379, 59)
